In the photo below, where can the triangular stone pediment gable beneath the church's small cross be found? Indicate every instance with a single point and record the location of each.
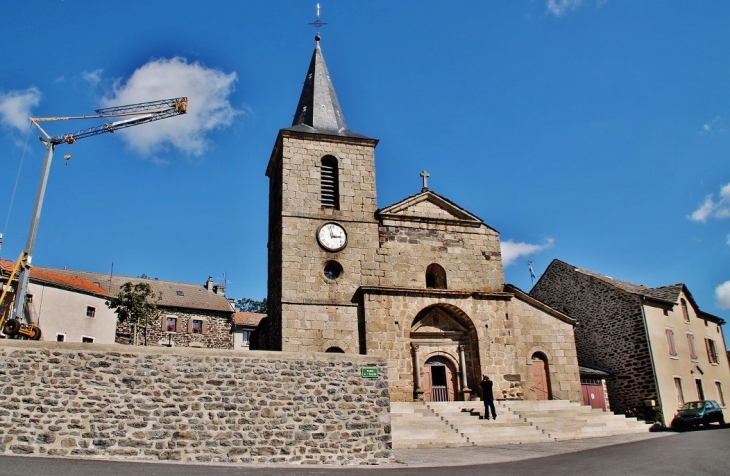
(432, 207)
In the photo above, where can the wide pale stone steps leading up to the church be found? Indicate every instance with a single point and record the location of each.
(450, 424)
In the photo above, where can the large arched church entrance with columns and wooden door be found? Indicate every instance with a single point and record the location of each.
(445, 354)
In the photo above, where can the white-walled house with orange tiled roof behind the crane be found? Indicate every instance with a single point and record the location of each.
(66, 308)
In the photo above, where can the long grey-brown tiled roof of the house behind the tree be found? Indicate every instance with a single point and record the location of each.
(174, 294)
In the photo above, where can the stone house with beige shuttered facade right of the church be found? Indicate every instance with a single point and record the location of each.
(657, 343)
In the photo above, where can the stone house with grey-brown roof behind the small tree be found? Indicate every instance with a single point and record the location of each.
(191, 315)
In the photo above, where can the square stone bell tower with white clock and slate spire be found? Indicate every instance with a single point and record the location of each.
(323, 234)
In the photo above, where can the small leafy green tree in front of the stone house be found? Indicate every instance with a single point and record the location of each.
(134, 304)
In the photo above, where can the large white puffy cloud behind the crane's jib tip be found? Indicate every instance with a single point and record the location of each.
(209, 108)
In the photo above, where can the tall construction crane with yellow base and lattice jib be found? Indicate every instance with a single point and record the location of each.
(140, 113)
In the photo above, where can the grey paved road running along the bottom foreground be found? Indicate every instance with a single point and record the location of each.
(703, 452)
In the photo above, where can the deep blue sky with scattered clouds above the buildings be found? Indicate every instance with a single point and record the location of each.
(592, 131)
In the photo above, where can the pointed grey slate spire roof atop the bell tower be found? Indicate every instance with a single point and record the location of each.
(319, 109)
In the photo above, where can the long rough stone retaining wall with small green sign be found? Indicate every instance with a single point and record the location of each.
(195, 405)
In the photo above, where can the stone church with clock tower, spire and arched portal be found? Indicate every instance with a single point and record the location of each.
(419, 282)
